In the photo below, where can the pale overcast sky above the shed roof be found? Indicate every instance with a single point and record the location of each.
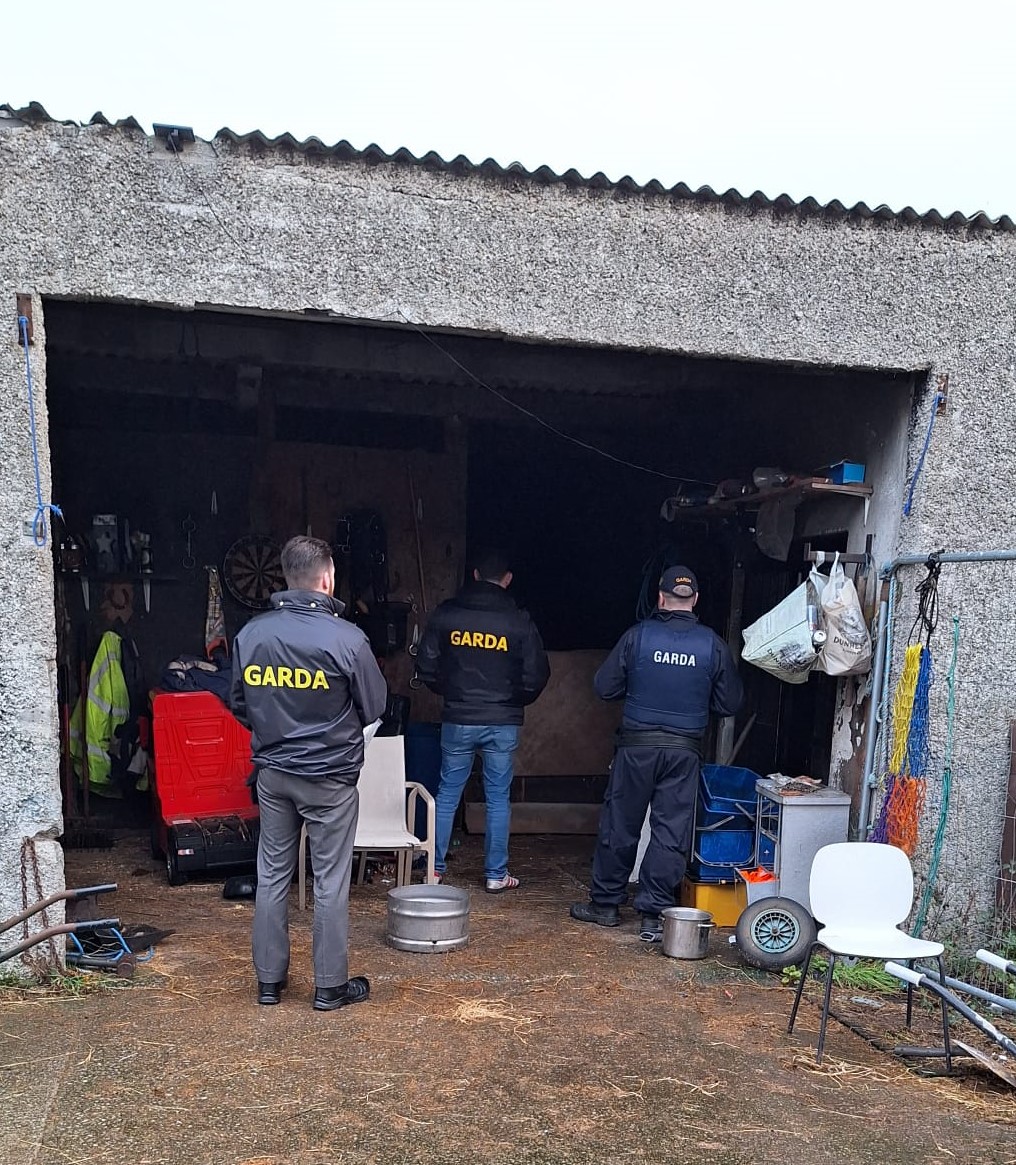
(901, 102)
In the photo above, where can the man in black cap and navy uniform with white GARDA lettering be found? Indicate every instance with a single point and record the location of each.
(672, 674)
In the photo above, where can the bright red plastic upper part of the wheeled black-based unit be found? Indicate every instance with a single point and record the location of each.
(202, 759)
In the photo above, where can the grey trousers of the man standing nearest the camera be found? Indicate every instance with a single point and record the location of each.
(330, 810)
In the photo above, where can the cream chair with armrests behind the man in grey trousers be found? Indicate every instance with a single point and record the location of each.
(387, 817)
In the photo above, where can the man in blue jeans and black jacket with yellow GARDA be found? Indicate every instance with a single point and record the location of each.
(484, 656)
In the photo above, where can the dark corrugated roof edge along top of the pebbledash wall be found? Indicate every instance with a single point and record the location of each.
(347, 152)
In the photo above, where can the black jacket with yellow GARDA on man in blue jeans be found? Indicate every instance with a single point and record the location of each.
(484, 656)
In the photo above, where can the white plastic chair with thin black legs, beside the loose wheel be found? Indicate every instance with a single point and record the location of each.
(862, 892)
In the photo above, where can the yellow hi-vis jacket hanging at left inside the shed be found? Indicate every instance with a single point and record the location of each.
(107, 710)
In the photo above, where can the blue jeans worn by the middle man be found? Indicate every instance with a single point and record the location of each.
(458, 746)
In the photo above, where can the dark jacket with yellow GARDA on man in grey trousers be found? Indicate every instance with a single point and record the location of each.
(306, 683)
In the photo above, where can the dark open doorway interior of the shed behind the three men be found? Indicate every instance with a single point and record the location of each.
(209, 429)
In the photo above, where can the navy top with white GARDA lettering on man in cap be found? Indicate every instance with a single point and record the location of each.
(672, 674)
